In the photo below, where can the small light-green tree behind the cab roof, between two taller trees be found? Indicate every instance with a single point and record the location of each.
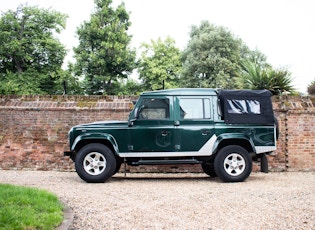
(160, 64)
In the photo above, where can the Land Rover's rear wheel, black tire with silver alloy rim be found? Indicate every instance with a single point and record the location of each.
(233, 164)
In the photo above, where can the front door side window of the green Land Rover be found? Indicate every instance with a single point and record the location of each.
(154, 109)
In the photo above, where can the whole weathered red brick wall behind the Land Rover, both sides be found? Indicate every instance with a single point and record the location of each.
(33, 131)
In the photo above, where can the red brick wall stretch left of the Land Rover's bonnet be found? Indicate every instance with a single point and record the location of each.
(33, 130)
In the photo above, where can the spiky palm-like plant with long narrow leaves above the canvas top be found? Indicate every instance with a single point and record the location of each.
(277, 81)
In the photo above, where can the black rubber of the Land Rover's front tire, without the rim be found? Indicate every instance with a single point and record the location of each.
(107, 154)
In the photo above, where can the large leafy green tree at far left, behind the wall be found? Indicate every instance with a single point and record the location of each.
(30, 55)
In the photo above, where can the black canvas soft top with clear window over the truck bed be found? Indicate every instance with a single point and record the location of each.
(246, 106)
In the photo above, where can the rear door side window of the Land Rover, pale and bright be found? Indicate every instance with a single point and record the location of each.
(195, 108)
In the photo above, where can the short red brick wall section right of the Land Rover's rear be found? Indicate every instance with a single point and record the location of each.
(296, 144)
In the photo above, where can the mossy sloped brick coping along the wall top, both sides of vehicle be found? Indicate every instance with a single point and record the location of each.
(280, 103)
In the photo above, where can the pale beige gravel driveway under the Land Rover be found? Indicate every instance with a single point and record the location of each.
(181, 201)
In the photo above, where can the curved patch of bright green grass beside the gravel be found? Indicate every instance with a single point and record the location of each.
(28, 208)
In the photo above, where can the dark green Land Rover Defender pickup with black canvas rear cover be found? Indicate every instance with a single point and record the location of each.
(223, 130)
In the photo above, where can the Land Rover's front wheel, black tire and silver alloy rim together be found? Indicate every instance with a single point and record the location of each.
(95, 163)
